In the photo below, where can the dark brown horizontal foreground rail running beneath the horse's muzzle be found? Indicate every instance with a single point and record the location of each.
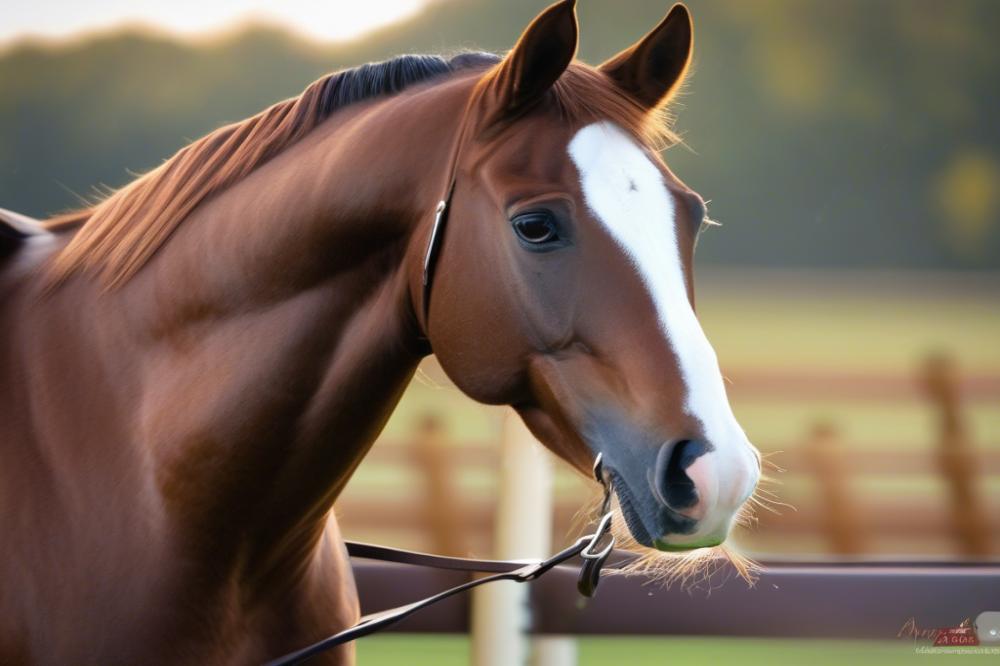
(796, 600)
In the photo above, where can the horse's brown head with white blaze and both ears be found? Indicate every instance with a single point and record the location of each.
(563, 285)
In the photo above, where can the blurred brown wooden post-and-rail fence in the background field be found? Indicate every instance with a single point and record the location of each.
(962, 518)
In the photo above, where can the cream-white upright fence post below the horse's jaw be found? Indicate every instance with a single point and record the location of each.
(523, 529)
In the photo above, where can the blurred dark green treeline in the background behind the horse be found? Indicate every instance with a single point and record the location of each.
(818, 129)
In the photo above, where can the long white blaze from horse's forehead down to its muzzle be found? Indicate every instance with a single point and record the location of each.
(626, 192)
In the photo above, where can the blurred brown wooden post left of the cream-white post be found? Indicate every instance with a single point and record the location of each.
(442, 508)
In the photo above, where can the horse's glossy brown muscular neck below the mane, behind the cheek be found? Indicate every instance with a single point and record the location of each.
(278, 324)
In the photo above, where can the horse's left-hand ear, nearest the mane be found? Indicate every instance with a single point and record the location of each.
(539, 58)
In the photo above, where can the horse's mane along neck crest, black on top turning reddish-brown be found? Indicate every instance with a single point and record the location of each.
(119, 242)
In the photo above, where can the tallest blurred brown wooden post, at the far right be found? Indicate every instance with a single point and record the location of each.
(956, 458)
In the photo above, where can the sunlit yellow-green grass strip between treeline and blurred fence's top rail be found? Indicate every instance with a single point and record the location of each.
(851, 321)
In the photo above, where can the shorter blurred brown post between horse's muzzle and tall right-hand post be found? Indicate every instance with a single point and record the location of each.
(839, 518)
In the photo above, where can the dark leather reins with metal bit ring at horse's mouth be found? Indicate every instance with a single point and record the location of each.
(589, 548)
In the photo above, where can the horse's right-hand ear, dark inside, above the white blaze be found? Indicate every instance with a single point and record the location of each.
(653, 68)
